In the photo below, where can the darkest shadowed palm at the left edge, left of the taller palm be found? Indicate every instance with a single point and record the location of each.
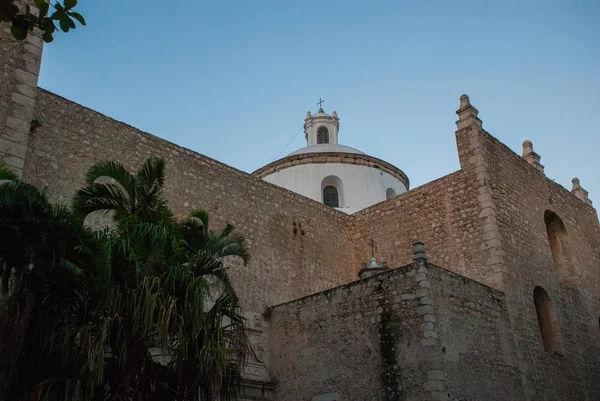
(43, 253)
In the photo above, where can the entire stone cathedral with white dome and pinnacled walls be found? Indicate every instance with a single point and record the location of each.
(481, 285)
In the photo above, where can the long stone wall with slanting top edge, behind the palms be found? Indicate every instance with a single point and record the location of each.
(285, 231)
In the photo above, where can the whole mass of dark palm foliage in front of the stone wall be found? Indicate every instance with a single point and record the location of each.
(143, 310)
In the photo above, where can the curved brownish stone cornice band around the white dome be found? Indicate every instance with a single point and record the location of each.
(332, 157)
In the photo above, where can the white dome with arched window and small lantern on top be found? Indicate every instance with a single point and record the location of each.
(336, 175)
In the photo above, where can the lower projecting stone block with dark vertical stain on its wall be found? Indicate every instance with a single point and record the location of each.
(414, 333)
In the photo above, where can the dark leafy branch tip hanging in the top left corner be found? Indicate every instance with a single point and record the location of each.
(46, 18)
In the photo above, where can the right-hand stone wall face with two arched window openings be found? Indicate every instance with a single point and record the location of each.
(522, 195)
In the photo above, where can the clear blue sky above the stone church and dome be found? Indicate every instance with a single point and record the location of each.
(233, 80)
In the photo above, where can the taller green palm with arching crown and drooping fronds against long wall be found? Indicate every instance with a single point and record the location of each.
(170, 292)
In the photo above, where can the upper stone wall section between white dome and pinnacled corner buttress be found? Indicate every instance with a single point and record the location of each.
(444, 214)
